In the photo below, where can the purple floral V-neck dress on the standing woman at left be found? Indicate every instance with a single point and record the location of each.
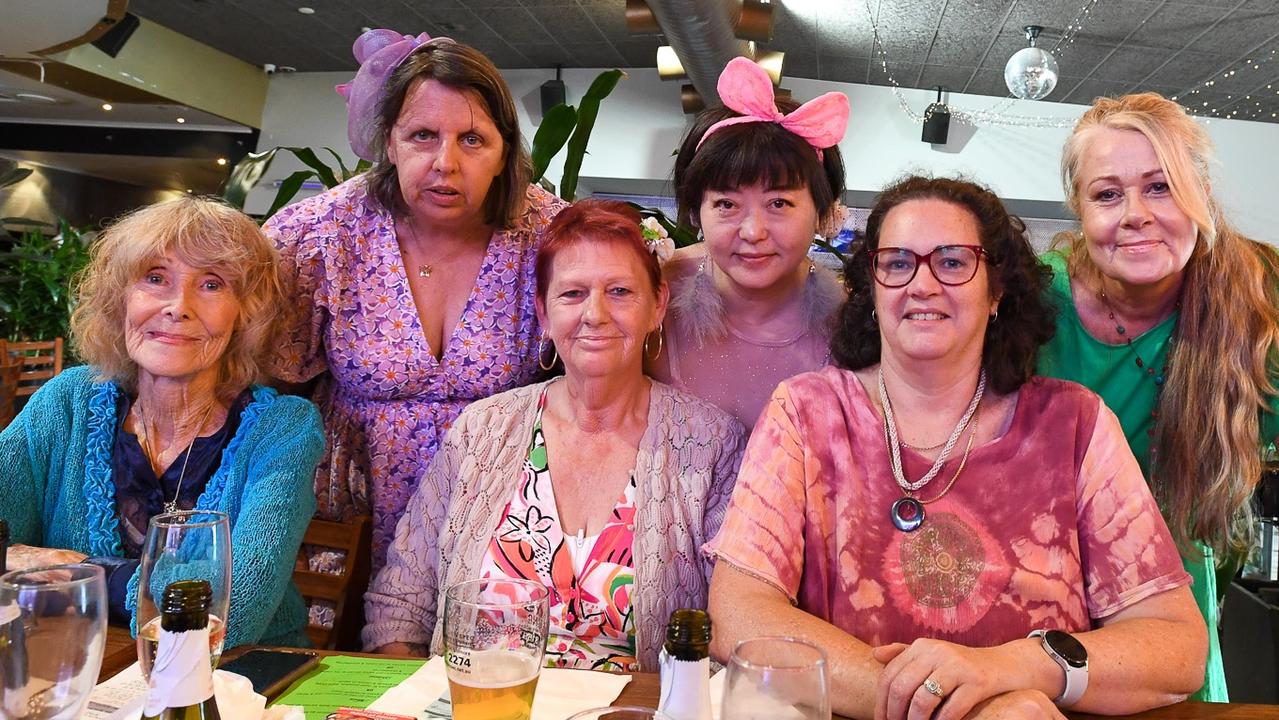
(387, 401)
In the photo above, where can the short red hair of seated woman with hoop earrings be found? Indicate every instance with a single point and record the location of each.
(595, 222)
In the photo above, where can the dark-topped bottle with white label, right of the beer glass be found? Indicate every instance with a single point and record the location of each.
(686, 667)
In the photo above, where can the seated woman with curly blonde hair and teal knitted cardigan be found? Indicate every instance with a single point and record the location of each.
(175, 314)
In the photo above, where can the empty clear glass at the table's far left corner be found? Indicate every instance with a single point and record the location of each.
(53, 632)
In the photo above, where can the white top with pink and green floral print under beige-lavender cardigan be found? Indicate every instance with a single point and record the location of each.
(590, 580)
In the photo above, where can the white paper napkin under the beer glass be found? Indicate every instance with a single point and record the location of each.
(561, 694)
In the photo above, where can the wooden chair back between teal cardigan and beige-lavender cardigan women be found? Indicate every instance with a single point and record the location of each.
(345, 591)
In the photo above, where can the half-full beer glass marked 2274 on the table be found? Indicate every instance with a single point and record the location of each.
(494, 641)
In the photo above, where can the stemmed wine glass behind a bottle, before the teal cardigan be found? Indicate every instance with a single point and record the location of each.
(184, 547)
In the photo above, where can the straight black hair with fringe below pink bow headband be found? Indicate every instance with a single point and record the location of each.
(753, 153)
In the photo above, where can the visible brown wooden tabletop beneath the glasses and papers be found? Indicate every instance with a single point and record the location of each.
(644, 689)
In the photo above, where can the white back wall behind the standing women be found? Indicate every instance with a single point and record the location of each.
(641, 125)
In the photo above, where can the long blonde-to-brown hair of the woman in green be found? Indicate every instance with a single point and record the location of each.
(1205, 453)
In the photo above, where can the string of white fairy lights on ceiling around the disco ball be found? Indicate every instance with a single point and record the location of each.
(1200, 100)
